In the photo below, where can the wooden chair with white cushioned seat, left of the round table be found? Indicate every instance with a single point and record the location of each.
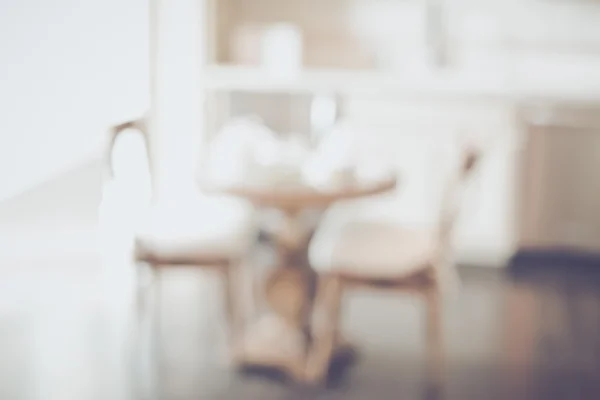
(211, 232)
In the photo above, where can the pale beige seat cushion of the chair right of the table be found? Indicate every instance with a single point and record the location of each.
(372, 250)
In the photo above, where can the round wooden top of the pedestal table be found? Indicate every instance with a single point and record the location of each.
(304, 196)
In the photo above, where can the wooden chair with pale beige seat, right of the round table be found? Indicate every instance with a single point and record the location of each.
(383, 255)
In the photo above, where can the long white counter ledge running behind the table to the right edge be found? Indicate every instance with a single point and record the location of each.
(527, 83)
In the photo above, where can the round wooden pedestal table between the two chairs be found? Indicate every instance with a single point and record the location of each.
(280, 337)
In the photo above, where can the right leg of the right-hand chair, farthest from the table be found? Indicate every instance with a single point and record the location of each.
(435, 345)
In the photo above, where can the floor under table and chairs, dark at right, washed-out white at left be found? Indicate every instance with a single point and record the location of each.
(67, 329)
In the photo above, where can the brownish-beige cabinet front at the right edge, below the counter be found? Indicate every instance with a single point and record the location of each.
(560, 187)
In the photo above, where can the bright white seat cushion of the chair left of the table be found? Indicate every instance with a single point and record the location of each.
(213, 229)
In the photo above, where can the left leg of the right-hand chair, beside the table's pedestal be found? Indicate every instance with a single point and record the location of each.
(326, 327)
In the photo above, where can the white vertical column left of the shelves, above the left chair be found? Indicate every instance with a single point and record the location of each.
(177, 104)
